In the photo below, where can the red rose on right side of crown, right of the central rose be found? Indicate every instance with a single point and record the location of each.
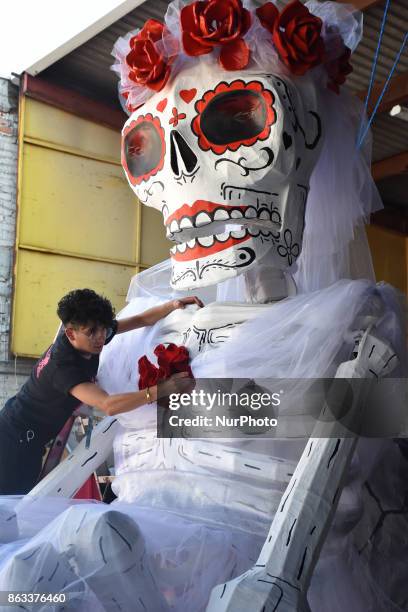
(296, 35)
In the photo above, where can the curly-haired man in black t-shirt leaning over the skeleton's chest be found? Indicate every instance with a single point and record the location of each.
(64, 377)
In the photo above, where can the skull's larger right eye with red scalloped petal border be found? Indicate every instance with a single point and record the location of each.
(233, 115)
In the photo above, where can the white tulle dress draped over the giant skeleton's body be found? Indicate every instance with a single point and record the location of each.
(188, 516)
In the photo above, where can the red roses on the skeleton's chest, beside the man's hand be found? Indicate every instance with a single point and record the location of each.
(171, 359)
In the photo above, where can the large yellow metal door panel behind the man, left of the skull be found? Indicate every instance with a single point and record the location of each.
(78, 223)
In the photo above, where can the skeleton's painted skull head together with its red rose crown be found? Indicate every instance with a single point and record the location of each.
(224, 149)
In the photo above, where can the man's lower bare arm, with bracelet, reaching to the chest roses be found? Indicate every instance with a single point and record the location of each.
(92, 395)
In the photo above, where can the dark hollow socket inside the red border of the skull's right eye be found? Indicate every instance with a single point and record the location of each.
(233, 116)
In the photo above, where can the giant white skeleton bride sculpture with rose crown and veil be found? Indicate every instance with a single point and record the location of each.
(229, 158)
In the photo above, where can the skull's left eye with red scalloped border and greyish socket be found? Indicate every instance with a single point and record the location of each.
(143, 148)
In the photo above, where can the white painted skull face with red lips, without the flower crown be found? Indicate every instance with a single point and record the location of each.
(227, 159)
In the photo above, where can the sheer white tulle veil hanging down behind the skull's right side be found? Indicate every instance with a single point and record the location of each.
(341, 199)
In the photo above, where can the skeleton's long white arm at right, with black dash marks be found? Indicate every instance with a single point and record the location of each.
(281, 576)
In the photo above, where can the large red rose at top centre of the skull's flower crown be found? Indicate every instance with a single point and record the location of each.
(210, 23)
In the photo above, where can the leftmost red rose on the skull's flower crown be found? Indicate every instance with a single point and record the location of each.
(147, 65)
